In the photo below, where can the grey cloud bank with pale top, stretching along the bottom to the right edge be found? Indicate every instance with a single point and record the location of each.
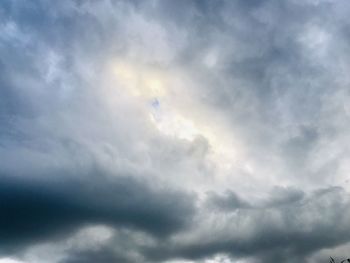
(290, 233)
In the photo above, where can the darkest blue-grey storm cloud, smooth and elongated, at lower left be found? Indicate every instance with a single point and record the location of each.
(34, 210)
